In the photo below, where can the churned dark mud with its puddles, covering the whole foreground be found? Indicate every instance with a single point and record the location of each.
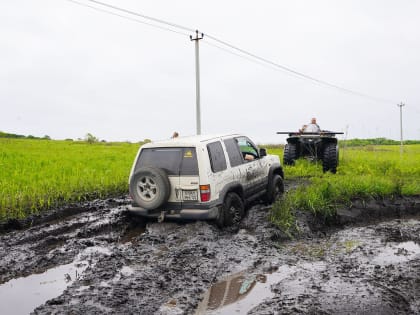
(102, 260)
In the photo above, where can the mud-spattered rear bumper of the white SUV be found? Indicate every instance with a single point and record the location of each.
(190, 214)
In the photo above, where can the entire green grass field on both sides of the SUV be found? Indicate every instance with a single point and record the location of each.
(40, 174)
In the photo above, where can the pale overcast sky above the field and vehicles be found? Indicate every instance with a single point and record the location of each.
(66, 70)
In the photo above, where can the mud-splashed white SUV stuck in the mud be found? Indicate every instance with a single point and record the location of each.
(203, 177)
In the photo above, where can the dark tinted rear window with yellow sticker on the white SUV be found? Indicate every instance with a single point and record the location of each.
(175, 161)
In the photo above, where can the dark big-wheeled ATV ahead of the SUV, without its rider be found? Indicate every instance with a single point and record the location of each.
(313, 145)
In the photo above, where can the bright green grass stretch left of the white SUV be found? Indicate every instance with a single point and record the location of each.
(40, 174)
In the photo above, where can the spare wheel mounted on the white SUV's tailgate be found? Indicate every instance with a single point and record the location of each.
(150, 187)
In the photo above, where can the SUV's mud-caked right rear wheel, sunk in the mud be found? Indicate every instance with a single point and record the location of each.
(232, 211)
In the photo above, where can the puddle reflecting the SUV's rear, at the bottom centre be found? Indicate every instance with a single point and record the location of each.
(241, 292)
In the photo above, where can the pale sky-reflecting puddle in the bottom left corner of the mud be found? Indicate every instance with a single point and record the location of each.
(35, 289)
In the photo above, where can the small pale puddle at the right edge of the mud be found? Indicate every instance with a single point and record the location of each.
(397, 253)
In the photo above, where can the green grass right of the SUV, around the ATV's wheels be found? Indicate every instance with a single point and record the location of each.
(364, 172)
